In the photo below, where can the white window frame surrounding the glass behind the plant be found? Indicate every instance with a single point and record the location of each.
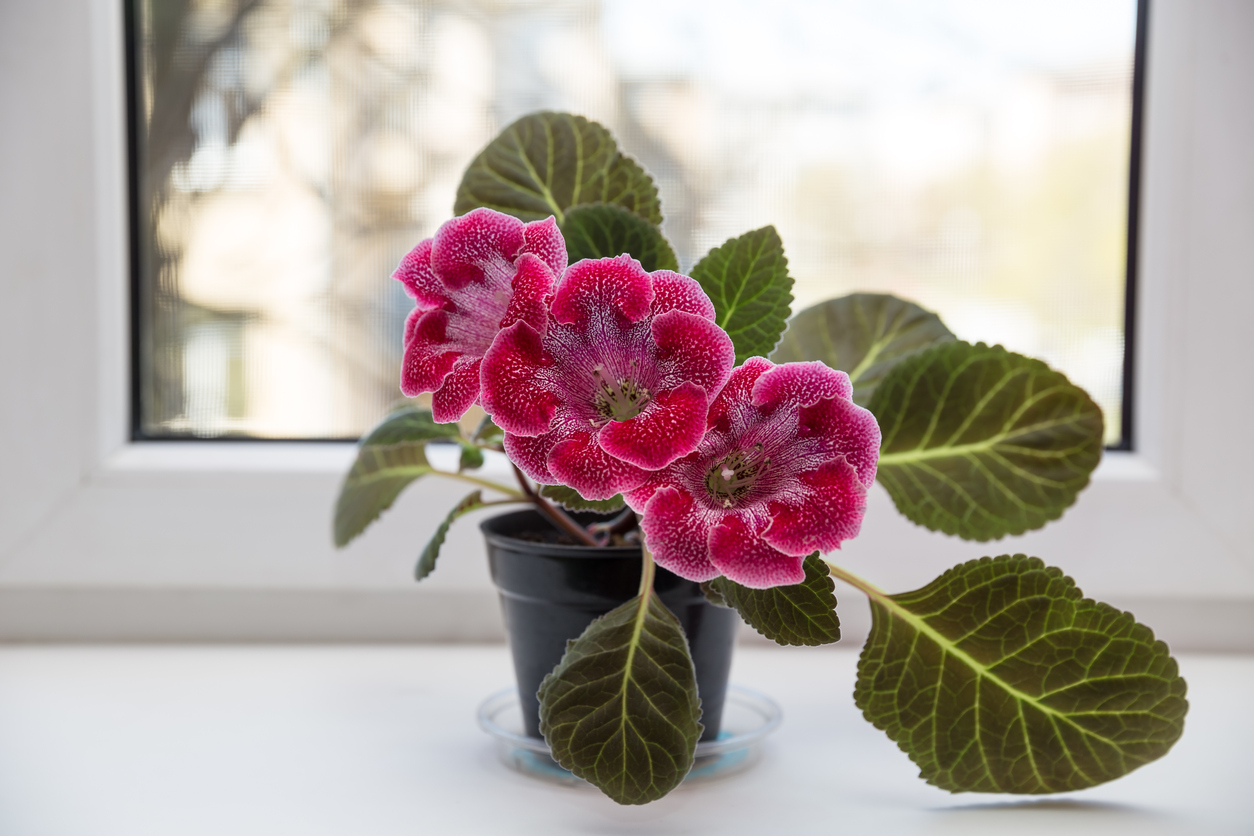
(105, 538)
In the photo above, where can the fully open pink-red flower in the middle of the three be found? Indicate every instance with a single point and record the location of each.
(618, 382)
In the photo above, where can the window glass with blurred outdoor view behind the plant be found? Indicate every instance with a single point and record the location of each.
(970, 155)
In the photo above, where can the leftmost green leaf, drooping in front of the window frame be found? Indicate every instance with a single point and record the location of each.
(392, 457)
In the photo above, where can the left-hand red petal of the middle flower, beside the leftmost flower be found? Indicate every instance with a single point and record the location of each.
(512, 393)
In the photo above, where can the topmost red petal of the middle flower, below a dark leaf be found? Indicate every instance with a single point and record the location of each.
(595, 286)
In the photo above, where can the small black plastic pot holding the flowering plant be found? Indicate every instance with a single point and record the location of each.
(550, 593)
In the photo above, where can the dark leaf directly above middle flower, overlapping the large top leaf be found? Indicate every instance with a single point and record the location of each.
(604, 231)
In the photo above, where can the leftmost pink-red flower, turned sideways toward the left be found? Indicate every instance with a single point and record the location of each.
(481, 273)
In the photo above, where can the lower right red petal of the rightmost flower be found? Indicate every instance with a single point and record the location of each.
(827, 512)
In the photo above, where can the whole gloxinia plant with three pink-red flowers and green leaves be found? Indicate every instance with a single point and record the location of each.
(738, 448)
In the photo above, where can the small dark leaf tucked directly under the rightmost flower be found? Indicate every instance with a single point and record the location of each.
(804, 614)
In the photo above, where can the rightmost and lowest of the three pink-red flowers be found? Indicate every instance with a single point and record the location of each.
(783, 472)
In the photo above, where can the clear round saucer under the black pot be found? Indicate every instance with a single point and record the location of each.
(748, 719)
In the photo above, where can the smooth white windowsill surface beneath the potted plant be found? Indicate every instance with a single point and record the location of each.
(371, 740)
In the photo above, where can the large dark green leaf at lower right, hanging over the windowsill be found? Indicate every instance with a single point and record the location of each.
(1001, 677)
